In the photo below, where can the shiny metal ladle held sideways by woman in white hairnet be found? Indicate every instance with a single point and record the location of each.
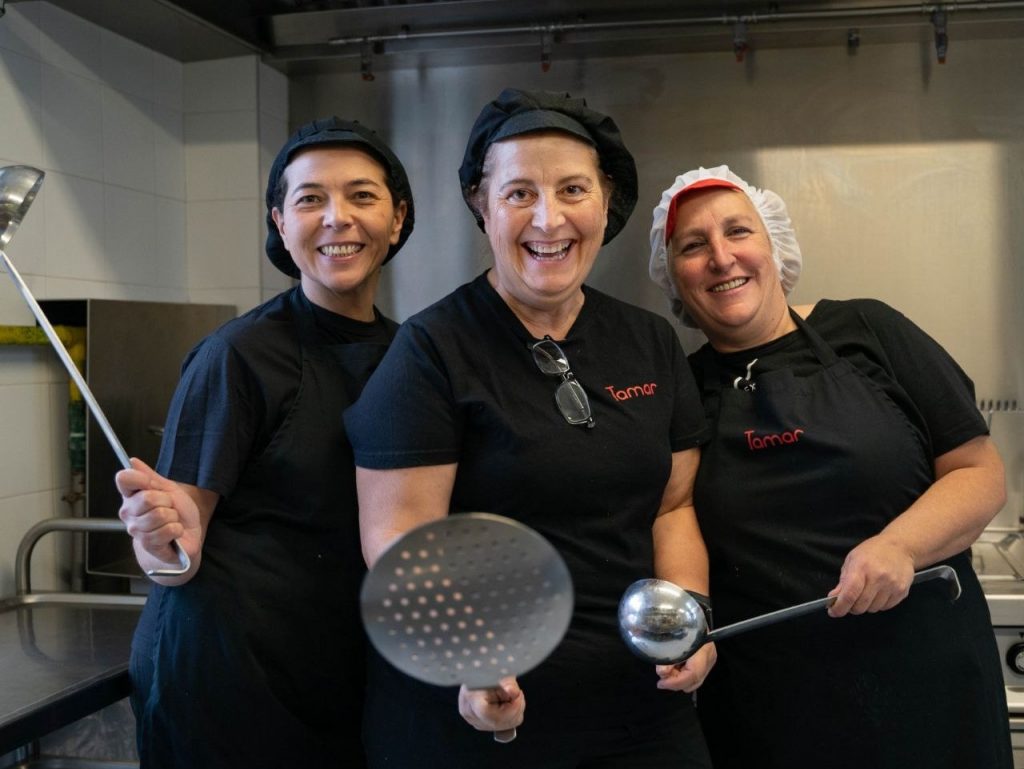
(663, 624)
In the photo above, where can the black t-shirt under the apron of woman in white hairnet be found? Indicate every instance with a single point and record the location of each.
(911, 367)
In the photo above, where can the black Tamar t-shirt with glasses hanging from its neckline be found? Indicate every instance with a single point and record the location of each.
(460, 384)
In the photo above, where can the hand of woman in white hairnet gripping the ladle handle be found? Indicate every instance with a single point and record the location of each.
(876, 576)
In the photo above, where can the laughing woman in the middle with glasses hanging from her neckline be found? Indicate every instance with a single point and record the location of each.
(460, 417)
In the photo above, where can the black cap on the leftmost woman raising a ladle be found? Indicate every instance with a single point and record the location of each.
(335, 132)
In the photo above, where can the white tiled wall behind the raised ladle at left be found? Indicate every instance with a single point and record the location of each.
(154, 192)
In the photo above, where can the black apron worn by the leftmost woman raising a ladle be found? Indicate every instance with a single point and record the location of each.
(260, 660)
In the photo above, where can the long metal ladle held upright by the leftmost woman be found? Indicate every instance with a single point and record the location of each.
(19, 186)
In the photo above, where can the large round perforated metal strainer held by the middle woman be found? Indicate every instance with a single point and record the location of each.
(468, 600)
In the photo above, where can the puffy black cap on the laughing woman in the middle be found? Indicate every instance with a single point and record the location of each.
(517, 112)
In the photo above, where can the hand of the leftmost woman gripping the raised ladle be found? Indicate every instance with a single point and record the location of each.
(157, 512)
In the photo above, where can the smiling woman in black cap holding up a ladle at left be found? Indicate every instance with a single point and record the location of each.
(255, 657)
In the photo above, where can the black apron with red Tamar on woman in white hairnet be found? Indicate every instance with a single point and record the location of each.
(800, 472)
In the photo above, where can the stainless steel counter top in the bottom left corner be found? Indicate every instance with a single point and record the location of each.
(60, 661)
